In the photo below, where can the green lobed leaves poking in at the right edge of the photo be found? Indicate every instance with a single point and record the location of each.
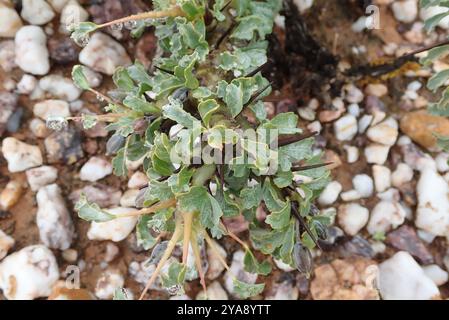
(438, 81)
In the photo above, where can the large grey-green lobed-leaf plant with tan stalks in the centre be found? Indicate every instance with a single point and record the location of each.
(207, 81)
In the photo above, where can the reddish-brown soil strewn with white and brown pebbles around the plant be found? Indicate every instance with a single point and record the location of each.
(390, 188)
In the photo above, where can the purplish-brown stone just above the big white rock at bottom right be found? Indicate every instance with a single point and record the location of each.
(406, 239)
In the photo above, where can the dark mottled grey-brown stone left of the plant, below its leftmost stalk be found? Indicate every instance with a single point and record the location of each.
(64, 146)
